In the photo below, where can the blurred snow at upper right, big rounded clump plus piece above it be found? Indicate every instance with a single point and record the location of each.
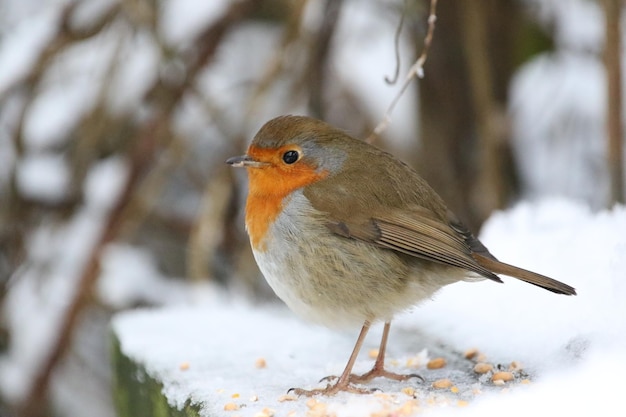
(557, 107)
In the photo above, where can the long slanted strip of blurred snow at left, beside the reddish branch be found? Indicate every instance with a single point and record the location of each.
(33, 307)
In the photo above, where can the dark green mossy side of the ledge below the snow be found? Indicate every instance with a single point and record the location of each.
(137, 394)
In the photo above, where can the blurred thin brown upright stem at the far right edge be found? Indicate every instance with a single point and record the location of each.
(615, 128)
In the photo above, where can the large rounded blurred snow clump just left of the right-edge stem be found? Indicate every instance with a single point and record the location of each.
(560, 128)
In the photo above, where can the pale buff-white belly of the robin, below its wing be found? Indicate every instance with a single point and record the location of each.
(335, 281)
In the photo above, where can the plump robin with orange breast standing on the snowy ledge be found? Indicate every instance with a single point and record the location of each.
(346, 234)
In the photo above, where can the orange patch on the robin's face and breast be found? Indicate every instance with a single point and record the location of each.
(270, 185)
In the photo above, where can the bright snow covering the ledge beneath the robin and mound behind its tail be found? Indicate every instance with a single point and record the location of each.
(573, 348)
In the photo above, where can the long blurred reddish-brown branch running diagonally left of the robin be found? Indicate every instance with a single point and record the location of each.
(154, 133)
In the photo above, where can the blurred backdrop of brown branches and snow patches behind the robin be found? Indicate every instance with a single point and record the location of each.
(116, 117)
